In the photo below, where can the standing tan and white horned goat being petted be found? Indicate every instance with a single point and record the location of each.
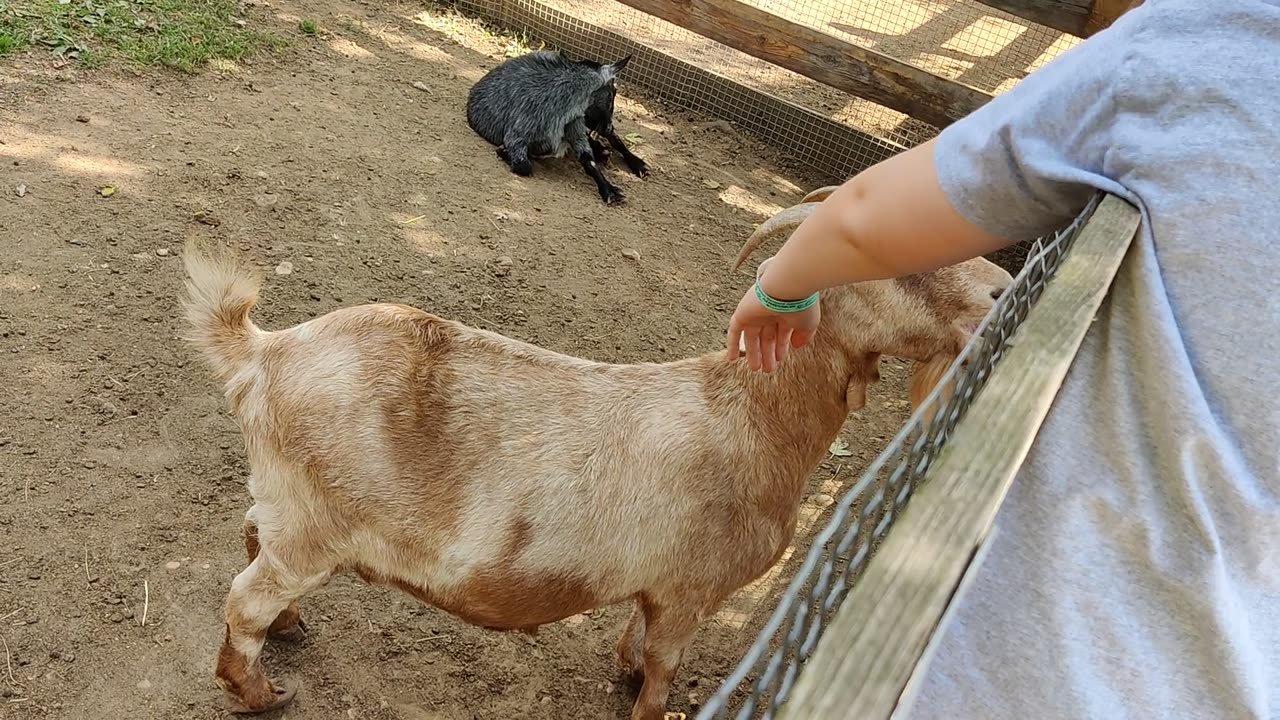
(514, 486)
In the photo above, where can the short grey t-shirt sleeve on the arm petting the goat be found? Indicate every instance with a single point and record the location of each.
(1028, 162)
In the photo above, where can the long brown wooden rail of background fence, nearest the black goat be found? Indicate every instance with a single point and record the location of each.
(822, 57)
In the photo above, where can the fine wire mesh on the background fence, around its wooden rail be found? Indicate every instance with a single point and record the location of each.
(822, 127)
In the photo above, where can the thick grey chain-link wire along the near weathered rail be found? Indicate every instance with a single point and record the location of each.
(865, 513)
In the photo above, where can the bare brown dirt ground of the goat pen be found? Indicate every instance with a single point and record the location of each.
(121, 473)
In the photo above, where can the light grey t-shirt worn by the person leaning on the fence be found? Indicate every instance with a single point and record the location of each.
(1137, 568)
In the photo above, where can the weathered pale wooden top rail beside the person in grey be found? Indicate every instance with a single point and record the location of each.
(866, 662)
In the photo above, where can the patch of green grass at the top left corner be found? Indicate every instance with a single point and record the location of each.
(182, 35)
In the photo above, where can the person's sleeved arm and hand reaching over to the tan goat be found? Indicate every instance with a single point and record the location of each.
(1014, 170)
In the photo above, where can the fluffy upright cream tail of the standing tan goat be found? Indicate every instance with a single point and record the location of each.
(221, 293)
